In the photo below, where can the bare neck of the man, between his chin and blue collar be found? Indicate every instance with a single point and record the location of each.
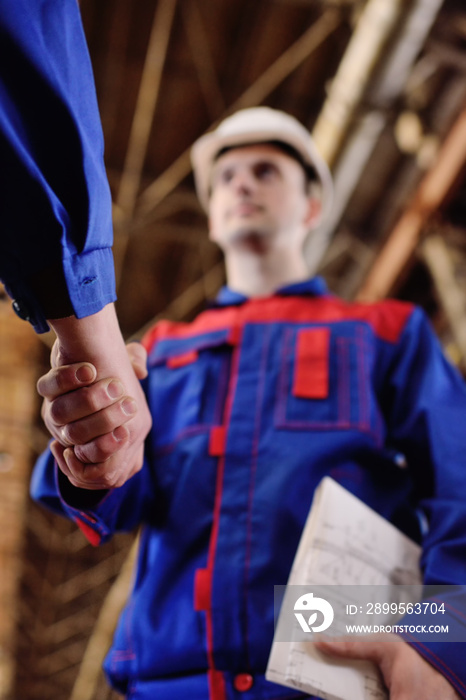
(259, 275)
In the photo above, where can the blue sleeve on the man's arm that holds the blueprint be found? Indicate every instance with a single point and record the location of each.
(427, 399)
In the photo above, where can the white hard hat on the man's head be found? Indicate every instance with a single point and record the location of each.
(258, 125)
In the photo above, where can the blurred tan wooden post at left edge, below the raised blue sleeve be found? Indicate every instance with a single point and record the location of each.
(19, 353)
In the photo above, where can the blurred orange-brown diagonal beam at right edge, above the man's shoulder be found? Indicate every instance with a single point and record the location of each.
(431, 193)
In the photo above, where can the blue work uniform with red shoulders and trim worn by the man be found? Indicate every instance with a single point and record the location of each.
(253, 403)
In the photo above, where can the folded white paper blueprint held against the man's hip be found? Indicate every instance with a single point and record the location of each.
(348, 556)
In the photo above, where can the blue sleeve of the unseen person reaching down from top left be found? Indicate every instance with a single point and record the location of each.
(55, 245)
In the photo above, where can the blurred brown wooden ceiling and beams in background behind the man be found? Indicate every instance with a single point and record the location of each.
(382, 83)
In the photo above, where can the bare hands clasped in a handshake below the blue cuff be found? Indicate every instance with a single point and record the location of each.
(99, 429)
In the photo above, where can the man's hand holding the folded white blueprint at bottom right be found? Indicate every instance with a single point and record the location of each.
(406, 674)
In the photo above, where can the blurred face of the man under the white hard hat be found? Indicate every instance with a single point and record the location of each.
(259, 194)
